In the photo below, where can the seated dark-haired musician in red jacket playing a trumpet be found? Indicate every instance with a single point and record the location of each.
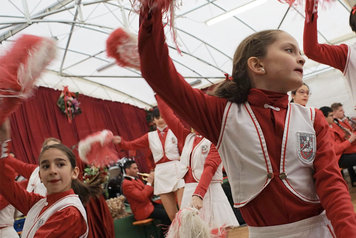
(139, 195)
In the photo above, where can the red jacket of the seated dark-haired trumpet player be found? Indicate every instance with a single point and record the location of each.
(139, 196)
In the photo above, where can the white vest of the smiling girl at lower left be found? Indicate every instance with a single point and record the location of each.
(34, 221)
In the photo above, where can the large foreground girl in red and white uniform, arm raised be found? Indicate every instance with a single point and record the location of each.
(278, 156)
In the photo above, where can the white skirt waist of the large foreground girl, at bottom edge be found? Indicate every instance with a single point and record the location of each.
(317, 226)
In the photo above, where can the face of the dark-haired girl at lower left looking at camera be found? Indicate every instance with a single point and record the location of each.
(56, 171)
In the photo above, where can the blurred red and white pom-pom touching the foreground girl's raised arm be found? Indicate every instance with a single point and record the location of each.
(122, 46)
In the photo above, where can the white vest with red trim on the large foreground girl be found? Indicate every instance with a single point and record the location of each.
(243, 150)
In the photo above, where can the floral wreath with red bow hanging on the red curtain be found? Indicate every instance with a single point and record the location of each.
(68, 103)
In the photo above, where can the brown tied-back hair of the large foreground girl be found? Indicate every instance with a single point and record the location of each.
(255, 45)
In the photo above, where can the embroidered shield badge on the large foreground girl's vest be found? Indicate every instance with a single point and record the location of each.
(306, 148)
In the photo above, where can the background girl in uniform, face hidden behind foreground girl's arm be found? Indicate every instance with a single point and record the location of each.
(201, 169)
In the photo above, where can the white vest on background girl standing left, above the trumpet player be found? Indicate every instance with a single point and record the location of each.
(170, 146)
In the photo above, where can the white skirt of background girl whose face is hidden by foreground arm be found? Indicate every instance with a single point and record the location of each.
(216, 210)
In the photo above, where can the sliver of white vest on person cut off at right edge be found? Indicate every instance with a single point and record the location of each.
(350, 69)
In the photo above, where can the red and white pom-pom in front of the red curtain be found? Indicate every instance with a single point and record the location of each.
(98, 149)
